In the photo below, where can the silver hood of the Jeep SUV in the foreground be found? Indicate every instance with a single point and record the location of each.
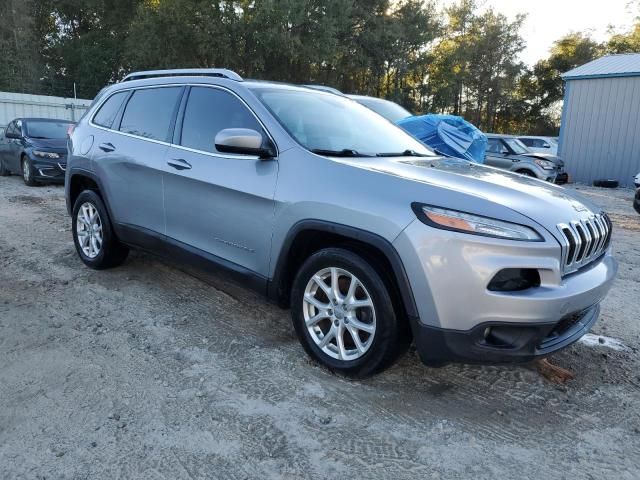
(543, 202)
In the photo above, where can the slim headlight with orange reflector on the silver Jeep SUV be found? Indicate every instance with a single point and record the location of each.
(474, 224)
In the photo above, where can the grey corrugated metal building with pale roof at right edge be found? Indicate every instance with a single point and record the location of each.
(600, 130)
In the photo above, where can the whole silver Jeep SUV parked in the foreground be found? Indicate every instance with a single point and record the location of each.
(327, 208)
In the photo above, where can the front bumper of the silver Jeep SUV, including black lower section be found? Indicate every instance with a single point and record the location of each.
(449, 274)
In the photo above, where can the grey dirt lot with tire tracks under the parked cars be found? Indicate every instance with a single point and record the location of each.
(151, 371)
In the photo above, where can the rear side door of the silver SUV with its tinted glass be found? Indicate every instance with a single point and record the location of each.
(129, 152)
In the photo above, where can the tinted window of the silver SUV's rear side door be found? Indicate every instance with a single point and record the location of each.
(149, 112)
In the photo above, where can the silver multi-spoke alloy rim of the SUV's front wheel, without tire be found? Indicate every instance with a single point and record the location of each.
(339, 314)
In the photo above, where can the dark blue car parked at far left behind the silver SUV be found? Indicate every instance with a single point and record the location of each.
(36, 149)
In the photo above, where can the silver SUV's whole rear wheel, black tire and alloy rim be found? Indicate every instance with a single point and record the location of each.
(93, 236)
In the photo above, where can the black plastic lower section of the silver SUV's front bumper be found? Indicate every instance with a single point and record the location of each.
(500, 343)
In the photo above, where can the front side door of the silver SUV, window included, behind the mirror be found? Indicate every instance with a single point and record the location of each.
(219, 203)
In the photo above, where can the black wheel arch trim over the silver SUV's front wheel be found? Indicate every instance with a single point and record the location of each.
(308, 236)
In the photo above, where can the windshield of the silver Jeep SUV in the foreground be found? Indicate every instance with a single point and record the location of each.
(330, 123)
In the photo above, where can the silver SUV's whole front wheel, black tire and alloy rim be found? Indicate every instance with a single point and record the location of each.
(343, 314)
